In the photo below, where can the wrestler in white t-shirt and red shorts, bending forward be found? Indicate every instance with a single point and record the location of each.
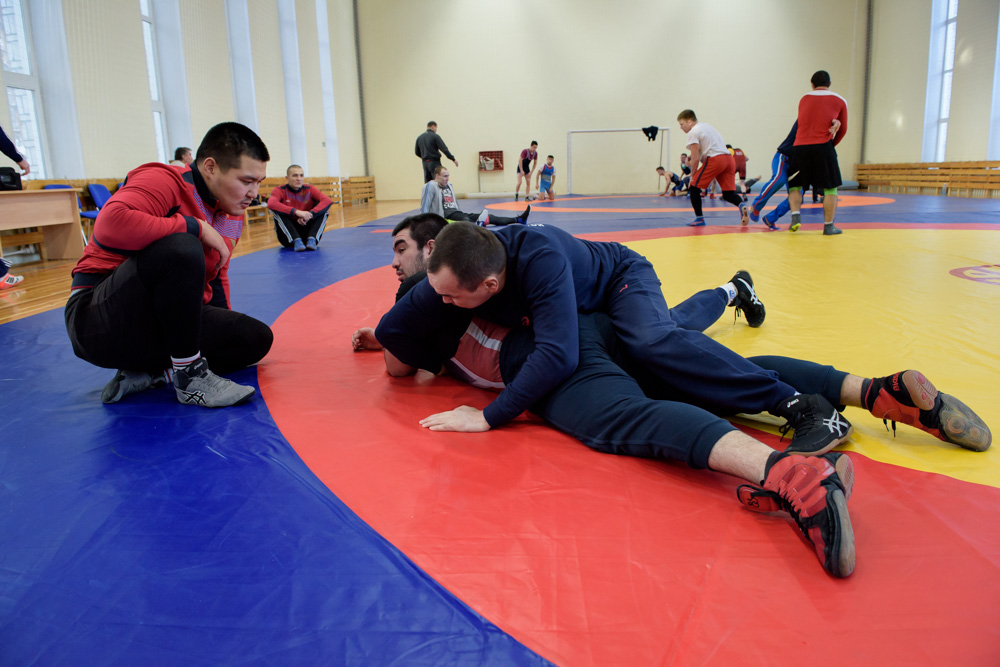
(710, 160)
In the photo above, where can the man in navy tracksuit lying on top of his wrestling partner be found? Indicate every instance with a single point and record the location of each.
(544, 276)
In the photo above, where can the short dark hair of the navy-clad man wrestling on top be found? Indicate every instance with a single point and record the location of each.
(471, 252)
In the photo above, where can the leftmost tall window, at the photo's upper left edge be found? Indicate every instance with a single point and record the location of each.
(26, 130)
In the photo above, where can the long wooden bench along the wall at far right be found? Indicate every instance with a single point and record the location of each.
(980, 179)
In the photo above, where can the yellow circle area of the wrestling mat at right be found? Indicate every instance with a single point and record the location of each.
(869, 302)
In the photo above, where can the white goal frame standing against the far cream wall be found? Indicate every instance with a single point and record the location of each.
(621, 161)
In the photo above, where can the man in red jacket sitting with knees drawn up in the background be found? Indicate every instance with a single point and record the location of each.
(299, 211)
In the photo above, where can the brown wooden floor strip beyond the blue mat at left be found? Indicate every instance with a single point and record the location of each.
(46, 284)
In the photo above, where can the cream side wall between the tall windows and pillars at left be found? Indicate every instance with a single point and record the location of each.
(107, 57)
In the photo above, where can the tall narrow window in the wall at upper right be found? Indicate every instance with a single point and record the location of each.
(940, 71)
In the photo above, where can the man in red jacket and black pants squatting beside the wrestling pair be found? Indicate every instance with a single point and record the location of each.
(151, 291)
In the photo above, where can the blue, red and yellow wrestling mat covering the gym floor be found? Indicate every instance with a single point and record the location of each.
(320, 524)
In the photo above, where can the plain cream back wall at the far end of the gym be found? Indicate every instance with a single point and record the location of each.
(497, 75)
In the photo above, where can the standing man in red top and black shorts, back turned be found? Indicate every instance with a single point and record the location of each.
(813, 158)
